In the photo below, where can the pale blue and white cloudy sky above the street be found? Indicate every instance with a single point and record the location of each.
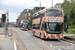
(15, 7)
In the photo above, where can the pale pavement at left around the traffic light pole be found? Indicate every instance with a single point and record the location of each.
(6, 43)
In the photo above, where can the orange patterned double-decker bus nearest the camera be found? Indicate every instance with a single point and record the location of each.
(48, 23)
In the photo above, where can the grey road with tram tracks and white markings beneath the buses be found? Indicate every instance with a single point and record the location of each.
(26, 41)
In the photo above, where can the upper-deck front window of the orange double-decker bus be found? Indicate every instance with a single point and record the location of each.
(53, 12)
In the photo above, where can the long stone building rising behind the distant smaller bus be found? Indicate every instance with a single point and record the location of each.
(25, 15)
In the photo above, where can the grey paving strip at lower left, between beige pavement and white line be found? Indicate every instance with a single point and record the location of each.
(8, 44)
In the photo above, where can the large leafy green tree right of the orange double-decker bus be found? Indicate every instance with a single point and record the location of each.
(69, 11)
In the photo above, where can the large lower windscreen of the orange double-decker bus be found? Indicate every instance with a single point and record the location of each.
(53, 27)
